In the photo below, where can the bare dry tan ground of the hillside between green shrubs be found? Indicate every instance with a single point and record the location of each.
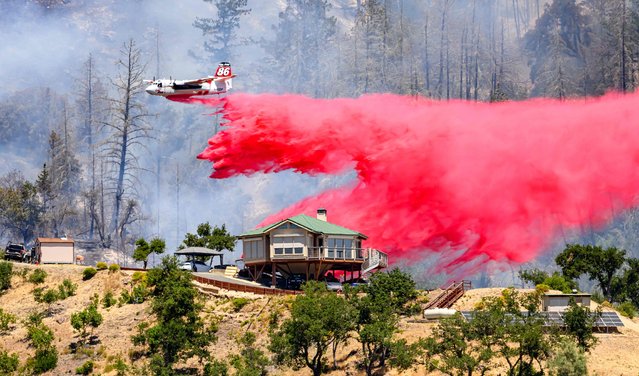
(614, 354)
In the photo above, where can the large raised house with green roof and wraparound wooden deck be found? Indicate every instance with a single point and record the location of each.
(308, 246)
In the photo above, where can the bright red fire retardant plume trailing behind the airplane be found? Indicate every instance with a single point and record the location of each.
(477, 182)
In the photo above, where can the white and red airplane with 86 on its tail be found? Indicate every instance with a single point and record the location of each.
(219, 83)
